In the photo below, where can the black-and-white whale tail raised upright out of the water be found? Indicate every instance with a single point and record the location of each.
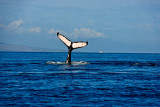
(71, 45)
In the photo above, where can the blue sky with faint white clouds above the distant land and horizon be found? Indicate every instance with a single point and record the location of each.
(125, 26)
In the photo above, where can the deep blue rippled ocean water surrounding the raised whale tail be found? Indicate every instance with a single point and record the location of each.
(93, 79)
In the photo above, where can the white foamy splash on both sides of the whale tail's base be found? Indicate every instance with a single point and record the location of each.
(74, 62)
